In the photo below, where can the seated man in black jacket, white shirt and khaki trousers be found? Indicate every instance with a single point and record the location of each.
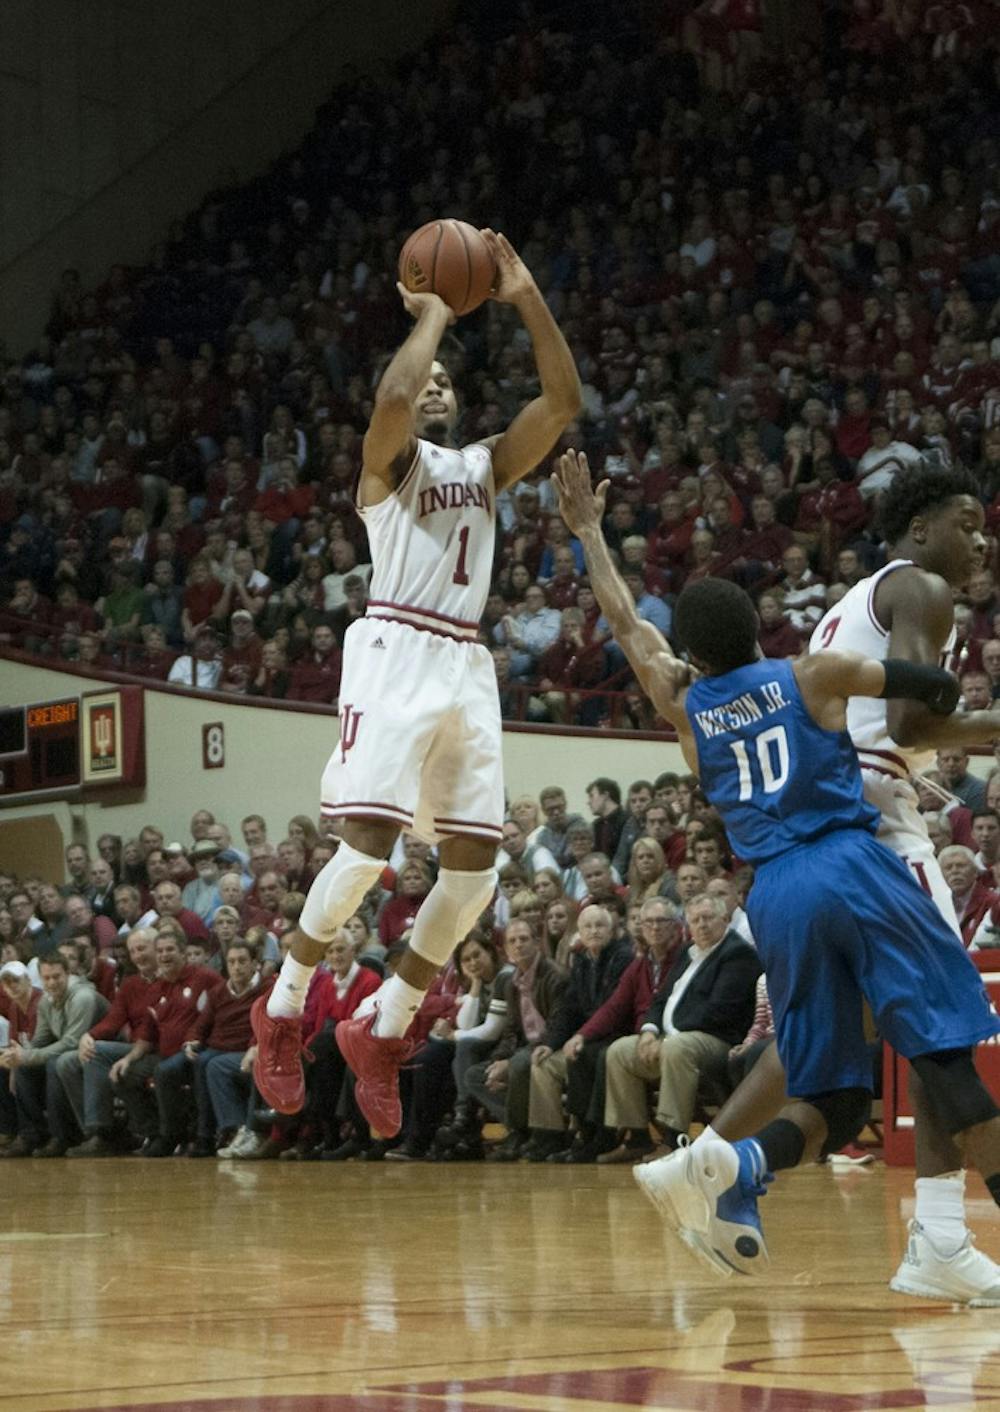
(703, 1010)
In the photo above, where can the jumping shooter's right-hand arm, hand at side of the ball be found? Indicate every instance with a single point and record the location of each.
(537, 427)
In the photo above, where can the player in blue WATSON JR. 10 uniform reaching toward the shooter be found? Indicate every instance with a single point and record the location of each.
(837, 916)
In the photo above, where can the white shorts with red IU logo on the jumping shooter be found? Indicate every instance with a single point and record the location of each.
(420, 734)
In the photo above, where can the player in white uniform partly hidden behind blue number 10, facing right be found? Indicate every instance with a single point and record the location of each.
(933, 522)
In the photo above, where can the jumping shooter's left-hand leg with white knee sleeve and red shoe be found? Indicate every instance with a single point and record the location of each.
(337, 893)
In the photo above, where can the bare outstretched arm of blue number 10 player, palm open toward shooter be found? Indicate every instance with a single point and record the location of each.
(662, 674)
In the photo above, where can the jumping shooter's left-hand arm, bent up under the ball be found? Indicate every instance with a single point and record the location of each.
(391, 436)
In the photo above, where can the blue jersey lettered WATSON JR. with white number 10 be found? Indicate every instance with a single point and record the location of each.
(776, 777)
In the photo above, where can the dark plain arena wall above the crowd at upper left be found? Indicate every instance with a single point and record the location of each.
(117, 119)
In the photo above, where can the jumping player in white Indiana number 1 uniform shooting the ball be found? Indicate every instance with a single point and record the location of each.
(420, 718)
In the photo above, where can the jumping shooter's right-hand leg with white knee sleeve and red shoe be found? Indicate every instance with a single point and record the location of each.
(374, 1044)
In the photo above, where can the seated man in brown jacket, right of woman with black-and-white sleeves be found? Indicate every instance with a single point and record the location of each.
(502, 1082)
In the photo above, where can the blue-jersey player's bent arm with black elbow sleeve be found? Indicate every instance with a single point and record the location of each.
(828, 678)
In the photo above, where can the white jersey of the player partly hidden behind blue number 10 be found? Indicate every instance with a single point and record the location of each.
(851, 626)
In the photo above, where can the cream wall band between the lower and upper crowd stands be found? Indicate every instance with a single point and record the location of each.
(273, 762)
